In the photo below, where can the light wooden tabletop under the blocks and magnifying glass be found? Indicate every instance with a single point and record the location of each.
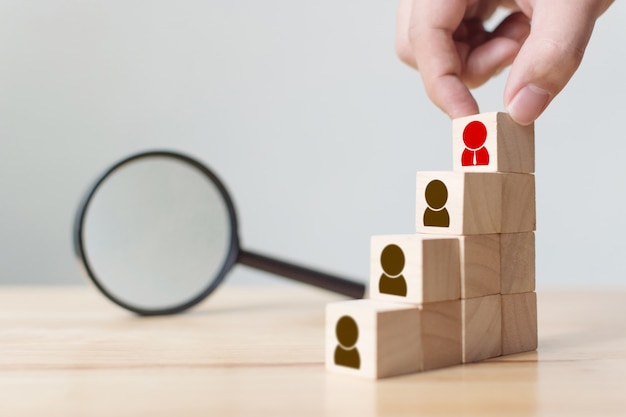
(255, 351)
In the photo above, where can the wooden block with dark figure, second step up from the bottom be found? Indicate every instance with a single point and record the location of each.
(415, 268)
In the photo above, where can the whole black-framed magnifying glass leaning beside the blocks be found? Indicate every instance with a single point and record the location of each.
(157, 233)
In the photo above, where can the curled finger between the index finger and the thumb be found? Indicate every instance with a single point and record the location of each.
(494, 55)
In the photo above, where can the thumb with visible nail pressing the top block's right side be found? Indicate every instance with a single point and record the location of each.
(553, 51)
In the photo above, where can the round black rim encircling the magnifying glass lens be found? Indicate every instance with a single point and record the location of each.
(233, 250)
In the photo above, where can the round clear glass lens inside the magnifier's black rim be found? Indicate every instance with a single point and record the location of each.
(156, 233)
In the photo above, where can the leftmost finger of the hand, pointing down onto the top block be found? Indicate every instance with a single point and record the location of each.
(433, 24)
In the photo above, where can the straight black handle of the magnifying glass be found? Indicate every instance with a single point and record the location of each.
(308, 276)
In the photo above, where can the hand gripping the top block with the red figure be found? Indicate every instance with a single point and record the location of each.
(544, 40)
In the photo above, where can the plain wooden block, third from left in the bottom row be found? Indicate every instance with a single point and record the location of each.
(482, 328)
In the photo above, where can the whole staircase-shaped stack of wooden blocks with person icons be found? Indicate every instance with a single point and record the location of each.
(462, 289)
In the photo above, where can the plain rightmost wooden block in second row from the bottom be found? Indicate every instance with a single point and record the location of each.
(517, 262)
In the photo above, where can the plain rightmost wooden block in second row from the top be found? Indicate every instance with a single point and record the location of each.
(518, 203)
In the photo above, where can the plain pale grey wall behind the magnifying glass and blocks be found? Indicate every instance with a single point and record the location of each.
(303, 109)
